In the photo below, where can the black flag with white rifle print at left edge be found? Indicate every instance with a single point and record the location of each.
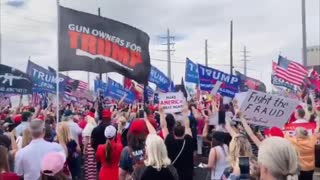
(13, 81)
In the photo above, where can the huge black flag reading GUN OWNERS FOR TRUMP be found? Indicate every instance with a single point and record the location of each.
(97, 44)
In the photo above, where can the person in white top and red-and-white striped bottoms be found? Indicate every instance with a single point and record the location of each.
(90, 166)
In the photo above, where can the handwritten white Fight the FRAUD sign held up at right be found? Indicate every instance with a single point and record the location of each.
(265, 109)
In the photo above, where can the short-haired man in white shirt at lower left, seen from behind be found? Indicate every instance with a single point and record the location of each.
(28, 159)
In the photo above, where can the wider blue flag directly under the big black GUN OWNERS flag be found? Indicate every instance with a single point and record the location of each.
(117, 91)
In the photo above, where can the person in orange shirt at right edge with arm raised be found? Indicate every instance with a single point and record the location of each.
(305, 145)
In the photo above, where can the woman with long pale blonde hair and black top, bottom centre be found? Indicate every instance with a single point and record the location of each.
(157, 165)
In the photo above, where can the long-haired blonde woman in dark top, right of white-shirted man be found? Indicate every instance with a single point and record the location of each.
(72, 149)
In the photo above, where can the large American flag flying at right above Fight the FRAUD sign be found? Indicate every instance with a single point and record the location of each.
(290, 71)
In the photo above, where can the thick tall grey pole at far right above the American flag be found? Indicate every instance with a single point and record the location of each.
(304, 33)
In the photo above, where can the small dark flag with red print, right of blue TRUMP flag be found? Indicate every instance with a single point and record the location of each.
(250, 83)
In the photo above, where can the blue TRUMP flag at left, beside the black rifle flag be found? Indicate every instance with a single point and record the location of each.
(43, 79)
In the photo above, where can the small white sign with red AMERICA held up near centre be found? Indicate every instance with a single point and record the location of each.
(171, 102)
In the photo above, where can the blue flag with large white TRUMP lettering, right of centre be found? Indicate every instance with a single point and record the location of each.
(209, 76)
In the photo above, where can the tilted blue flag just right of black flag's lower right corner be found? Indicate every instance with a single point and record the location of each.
(159, 78)
